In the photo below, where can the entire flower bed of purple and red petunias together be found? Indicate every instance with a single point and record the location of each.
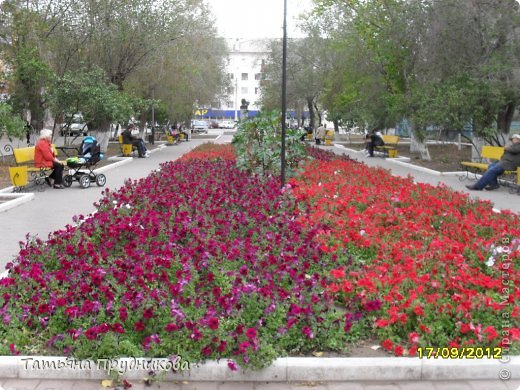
(205, 261)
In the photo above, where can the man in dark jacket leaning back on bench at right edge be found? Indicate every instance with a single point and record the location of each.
(510, 161)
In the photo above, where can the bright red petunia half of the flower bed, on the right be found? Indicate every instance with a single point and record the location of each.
(443, 269)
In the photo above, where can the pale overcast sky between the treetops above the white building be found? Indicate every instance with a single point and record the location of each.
(256, 18)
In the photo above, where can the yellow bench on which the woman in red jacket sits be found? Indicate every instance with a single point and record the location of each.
(25, 172)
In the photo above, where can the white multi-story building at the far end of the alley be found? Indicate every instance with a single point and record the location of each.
(244, 68)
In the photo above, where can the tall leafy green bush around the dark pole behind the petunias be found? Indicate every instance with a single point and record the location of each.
(258, 145)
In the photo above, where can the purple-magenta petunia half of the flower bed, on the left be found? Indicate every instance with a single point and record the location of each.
(201, 261)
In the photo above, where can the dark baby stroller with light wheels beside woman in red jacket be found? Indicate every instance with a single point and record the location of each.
(89, 154)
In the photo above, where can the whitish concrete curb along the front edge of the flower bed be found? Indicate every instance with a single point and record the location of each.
(288, 369)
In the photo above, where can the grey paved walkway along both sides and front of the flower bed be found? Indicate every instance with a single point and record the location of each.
(51, 210)
